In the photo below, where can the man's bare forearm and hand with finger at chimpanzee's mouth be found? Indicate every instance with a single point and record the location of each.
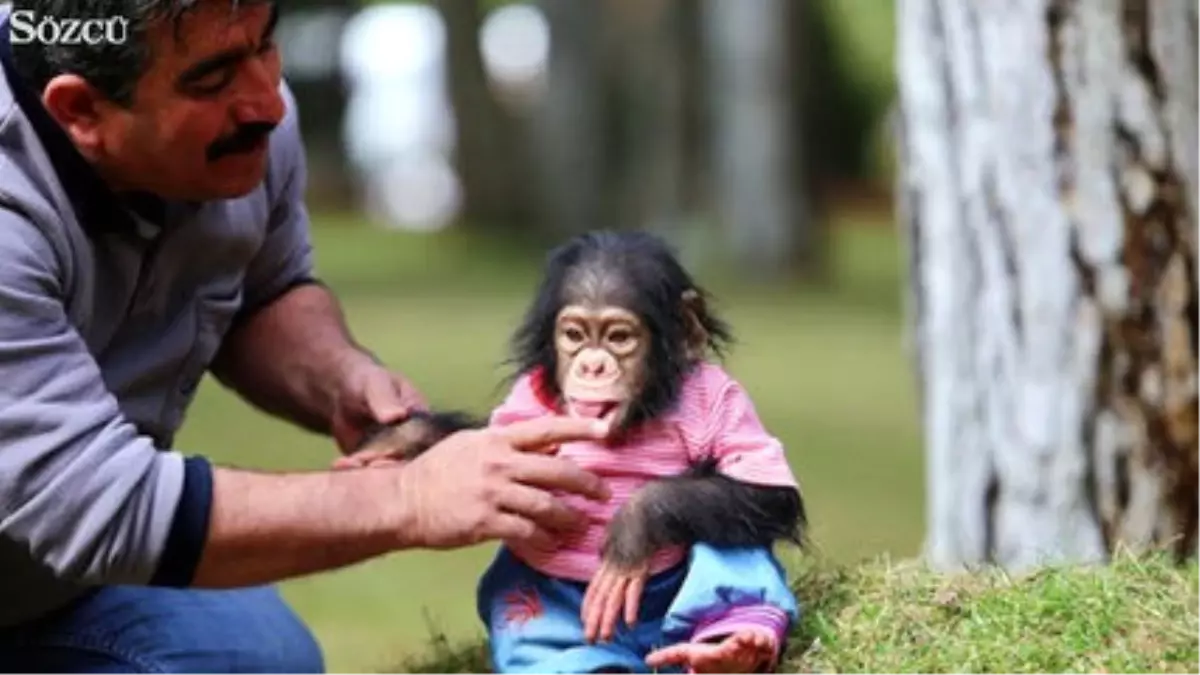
(473, 487)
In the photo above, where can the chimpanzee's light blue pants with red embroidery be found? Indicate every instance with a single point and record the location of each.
(535, 628)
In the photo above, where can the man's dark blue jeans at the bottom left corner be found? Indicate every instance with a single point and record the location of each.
(148, 631)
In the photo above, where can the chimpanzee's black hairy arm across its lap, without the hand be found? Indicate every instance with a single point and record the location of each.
(704, 506)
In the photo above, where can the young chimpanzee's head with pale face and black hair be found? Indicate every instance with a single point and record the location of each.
(615, 328)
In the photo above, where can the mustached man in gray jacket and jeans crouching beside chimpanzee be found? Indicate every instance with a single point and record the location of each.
(153, 230)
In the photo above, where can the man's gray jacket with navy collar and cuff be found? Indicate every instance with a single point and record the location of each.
(109, 321)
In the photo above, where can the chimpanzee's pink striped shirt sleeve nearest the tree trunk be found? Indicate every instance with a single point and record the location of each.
(740, 444)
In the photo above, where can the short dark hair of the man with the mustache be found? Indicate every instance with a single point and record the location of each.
(112, 69)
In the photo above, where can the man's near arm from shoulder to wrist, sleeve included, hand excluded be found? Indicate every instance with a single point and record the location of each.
(93, 500)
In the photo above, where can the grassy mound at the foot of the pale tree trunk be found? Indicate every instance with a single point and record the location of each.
(1136, 616)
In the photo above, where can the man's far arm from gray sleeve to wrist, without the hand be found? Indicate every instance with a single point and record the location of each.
(290, 344)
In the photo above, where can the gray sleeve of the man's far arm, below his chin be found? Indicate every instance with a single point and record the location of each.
(286, 258)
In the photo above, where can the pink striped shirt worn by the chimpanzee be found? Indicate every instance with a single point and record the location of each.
(715, 419)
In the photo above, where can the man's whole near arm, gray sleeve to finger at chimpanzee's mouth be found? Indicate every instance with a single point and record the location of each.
(92, 499)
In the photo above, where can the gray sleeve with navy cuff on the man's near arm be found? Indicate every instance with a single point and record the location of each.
(82, 492)
